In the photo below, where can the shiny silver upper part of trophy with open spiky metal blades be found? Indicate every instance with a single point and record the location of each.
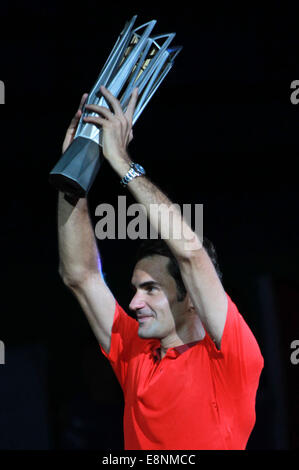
(136, 60)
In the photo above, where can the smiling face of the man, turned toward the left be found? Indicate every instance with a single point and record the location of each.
(155, 303)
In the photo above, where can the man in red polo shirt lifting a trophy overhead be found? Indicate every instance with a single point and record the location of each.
(189, 366)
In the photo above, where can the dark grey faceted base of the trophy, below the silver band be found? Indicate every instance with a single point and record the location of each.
(77, 168)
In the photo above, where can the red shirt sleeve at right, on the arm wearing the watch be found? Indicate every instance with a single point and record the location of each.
(239, 362)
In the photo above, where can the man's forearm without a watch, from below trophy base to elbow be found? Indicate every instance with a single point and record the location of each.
(78, 253)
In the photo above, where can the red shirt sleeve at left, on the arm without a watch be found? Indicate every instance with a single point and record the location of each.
(123, 334)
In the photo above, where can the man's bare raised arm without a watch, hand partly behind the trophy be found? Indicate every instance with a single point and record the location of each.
(79, 260)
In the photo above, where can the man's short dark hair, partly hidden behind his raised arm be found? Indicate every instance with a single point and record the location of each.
(150, 247)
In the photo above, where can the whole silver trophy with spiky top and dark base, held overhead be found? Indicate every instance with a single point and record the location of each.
(136, 60)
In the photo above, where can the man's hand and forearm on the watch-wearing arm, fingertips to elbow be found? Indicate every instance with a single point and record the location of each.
(116, 127)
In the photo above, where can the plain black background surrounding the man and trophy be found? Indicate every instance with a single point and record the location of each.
(221, 130)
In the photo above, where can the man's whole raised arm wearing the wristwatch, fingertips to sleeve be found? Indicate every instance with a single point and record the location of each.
(199, 275)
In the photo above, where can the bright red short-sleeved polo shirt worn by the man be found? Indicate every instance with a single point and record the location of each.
(196, 397)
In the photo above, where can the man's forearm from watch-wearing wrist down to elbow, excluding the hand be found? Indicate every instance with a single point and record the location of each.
(164, 216)
